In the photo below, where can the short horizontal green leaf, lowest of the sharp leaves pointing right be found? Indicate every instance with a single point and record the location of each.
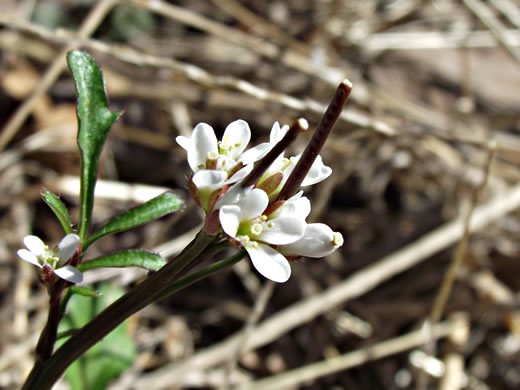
(132, 258)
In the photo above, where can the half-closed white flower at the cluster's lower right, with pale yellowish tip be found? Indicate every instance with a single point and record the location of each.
(318, 241)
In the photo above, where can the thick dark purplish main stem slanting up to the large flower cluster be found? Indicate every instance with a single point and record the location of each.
(45, 373)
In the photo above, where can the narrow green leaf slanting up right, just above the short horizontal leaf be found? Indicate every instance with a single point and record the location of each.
(157, 207)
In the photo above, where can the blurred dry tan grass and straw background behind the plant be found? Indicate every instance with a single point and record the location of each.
(434, 83)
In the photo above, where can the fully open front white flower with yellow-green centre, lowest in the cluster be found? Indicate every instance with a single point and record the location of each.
(246, 223)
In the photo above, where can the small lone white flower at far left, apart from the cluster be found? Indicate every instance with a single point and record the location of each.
(38, 254)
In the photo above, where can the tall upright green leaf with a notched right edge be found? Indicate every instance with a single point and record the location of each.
(94, 122)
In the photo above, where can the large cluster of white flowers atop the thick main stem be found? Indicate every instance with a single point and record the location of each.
(273, 230)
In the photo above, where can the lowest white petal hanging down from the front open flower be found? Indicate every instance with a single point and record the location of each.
(269, 262)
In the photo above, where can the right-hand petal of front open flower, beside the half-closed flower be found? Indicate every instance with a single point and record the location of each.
(283, 230)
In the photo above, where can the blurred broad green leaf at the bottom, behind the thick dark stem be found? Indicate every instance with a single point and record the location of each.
(106, 360)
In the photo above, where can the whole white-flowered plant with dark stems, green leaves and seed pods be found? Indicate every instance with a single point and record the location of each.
(251, 198)
